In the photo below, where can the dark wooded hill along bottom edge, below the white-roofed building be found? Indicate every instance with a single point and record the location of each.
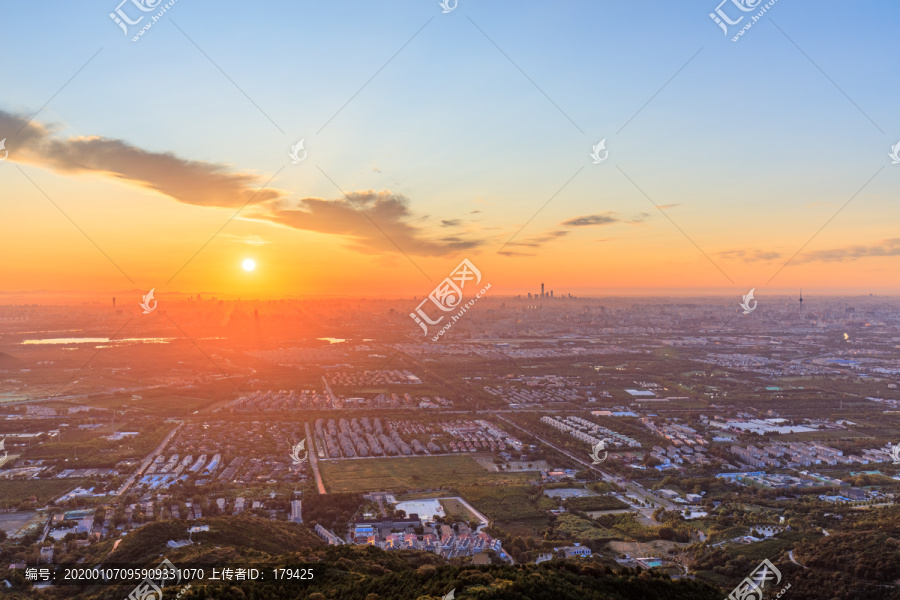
(368, 573)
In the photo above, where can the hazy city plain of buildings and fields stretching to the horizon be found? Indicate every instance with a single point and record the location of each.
(725, 436)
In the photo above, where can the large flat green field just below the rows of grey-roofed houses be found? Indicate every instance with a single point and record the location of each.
(389, 474)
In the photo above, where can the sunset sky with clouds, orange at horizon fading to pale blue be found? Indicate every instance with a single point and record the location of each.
(708, 186)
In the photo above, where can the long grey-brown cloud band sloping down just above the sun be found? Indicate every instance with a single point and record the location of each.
(393, 226)
